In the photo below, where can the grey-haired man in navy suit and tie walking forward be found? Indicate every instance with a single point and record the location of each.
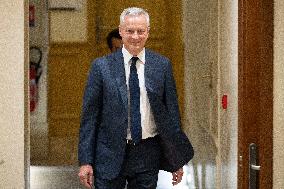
(130, 126)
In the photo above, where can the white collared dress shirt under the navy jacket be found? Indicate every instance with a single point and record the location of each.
(149, 128)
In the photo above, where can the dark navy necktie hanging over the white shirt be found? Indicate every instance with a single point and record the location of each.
(135, 116)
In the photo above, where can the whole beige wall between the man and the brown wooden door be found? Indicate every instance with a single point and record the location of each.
(211, 71)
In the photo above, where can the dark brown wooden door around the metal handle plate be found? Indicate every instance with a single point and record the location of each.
(255, 86)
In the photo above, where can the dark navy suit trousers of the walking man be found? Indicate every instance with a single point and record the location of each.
(140, 167)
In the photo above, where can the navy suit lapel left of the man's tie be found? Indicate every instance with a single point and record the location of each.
(118, 71)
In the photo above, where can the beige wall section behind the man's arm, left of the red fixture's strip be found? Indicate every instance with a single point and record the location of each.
(200, 30)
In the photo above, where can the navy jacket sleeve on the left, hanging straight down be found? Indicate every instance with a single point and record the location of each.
(90, 117)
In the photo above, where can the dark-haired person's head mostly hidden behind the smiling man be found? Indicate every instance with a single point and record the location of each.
(114, 40)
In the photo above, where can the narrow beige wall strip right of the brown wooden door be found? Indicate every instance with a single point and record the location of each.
(278, 130)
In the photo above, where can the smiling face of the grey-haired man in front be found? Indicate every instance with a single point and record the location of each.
(134, 32)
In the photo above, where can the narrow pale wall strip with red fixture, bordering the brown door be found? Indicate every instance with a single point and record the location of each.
(228, 61)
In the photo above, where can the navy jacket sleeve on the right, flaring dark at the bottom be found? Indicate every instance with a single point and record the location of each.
(177, 148)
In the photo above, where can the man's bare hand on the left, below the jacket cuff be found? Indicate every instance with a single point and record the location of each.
(86, 175)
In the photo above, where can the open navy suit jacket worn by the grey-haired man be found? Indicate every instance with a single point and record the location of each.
(104, 118)
